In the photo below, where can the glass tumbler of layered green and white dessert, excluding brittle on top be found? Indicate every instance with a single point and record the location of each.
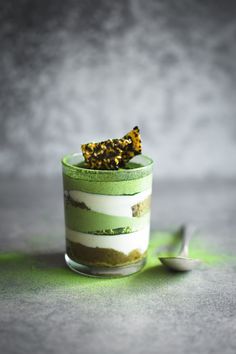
(107, 214)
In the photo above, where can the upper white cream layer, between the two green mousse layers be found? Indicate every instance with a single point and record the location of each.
(117, 205)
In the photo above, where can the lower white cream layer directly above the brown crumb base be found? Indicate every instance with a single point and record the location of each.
(124, 243)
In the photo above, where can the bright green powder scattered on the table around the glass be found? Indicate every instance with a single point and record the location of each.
(25, 273)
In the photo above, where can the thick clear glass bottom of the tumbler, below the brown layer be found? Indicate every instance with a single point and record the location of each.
(105, 272)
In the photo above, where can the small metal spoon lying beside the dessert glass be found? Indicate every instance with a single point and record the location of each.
(182, 262)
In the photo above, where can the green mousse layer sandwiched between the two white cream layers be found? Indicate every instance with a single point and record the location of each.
(89, 221)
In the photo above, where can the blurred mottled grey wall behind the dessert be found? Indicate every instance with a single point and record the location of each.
(75, 71)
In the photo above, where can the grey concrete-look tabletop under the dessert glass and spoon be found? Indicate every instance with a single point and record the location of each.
(151, 312)
